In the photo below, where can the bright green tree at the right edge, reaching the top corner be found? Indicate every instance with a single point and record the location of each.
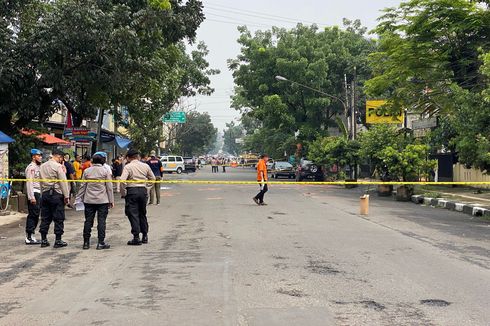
(431, 60)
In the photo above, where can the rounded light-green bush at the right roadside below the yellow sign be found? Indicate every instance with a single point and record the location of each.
(409, 164)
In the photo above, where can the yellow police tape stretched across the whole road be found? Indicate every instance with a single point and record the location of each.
(223, 182)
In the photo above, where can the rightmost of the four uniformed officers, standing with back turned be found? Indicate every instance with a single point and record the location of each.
(135, 194)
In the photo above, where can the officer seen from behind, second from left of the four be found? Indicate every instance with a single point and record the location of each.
(55, 195)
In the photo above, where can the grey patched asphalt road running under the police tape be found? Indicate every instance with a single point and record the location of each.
(215, 258)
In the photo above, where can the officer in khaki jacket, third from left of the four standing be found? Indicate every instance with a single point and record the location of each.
(98, 198)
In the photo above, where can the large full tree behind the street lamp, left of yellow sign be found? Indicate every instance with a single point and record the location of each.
(305, 55)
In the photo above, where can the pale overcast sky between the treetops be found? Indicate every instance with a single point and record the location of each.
(219, 32)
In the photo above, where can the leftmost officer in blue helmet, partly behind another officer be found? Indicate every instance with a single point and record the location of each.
(33, 174)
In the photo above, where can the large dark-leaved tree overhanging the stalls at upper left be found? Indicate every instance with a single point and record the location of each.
(98, 55)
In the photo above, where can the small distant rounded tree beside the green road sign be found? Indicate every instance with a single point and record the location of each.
(197, 135)
